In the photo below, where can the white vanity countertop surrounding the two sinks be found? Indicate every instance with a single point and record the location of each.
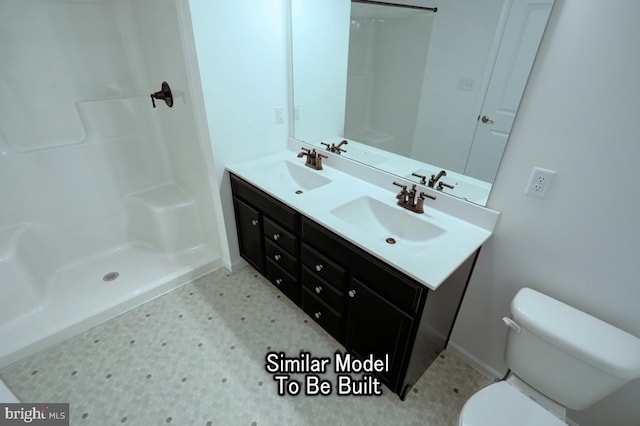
(430, 262)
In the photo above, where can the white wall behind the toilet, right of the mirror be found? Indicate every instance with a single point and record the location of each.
(579, 116)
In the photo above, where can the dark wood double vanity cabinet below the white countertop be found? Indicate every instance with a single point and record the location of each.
(364, 303)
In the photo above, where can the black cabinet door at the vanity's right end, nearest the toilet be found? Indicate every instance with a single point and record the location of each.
(375, 326)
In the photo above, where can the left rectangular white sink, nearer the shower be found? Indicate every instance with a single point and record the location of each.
(291, 176)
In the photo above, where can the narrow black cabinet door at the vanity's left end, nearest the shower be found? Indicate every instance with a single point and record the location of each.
(249, 225)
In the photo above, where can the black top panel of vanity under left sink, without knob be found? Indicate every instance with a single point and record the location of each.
(285, 216)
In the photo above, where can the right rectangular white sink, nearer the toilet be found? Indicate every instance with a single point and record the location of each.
(389, 223)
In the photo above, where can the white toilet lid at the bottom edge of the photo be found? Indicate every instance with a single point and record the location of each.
(502, 405)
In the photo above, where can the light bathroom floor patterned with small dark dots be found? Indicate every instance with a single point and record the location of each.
(196, 356)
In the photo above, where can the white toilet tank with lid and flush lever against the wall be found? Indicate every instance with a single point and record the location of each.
(568, 355)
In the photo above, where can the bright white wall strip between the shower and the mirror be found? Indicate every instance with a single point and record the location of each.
(242, 56)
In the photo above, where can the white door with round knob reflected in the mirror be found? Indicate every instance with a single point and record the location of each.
(523, 30)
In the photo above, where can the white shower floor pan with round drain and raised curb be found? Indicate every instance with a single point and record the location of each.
(84, 294)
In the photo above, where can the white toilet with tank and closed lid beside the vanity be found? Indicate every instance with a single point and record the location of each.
(559, 358)
